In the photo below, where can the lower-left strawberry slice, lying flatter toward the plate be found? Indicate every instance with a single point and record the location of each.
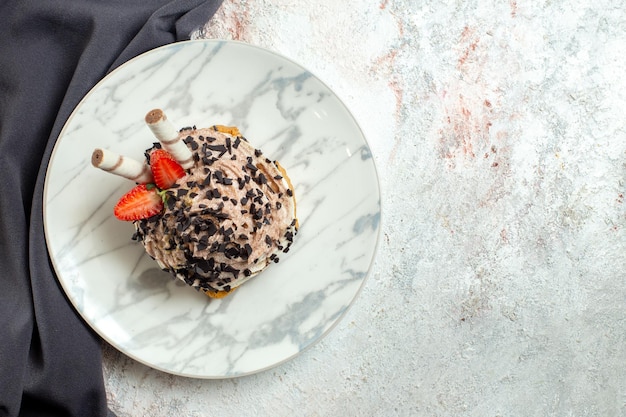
(139, 203)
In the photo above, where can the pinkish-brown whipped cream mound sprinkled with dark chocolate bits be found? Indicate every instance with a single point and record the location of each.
(230, 217)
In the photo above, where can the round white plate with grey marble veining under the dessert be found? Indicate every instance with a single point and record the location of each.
(282, 109)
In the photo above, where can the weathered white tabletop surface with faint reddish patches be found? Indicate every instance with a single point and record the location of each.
(499, 286)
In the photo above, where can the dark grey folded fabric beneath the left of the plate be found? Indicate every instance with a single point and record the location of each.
(51, 53)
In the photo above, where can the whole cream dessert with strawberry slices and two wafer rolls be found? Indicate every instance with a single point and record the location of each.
(209, 207)
